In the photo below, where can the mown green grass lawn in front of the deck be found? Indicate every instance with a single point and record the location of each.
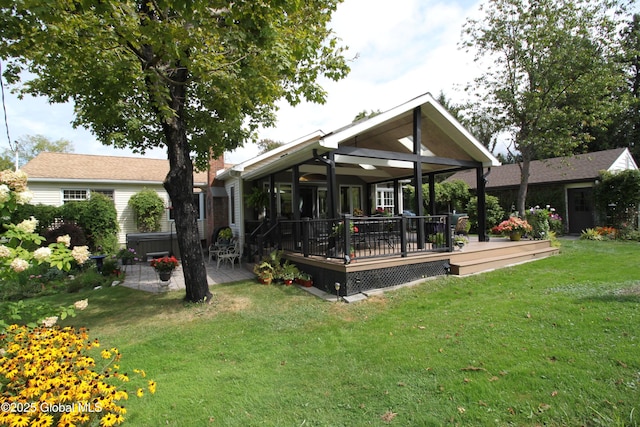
(554, 342)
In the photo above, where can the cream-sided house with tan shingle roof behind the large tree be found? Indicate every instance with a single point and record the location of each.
(56, 178)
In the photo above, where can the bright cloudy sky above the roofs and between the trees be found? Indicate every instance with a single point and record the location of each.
(400, 50)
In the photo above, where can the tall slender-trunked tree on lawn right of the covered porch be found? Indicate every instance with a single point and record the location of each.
(551, 75)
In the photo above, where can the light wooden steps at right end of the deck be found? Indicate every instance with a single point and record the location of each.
(487, 256)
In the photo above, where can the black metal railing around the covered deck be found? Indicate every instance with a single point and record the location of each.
(362, 237)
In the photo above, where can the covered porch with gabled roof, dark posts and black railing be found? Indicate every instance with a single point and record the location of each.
(330, 198)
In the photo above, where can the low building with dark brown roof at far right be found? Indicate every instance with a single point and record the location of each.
(566, 183)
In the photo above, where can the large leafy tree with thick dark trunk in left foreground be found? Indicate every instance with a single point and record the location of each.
(195, 77)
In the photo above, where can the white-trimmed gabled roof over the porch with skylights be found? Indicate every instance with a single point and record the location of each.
(380, 148)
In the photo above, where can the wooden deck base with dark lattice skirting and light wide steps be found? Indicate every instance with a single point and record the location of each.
(366, 274)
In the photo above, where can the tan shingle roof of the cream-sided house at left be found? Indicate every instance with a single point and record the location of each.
(86, 167)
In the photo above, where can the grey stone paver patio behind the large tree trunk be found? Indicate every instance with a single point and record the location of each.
(143, 277)
